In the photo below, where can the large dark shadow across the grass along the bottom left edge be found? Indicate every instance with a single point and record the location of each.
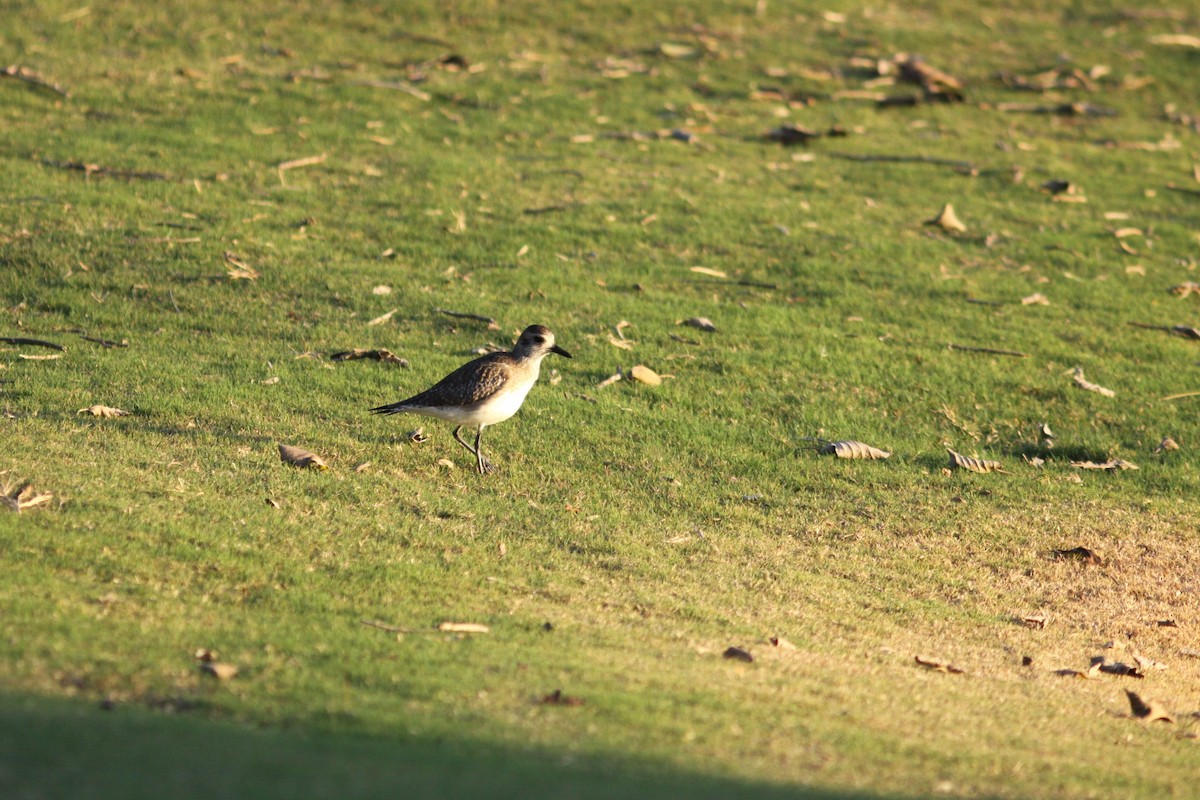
(70, 749)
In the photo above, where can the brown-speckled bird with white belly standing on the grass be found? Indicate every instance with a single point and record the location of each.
(485, 392)
